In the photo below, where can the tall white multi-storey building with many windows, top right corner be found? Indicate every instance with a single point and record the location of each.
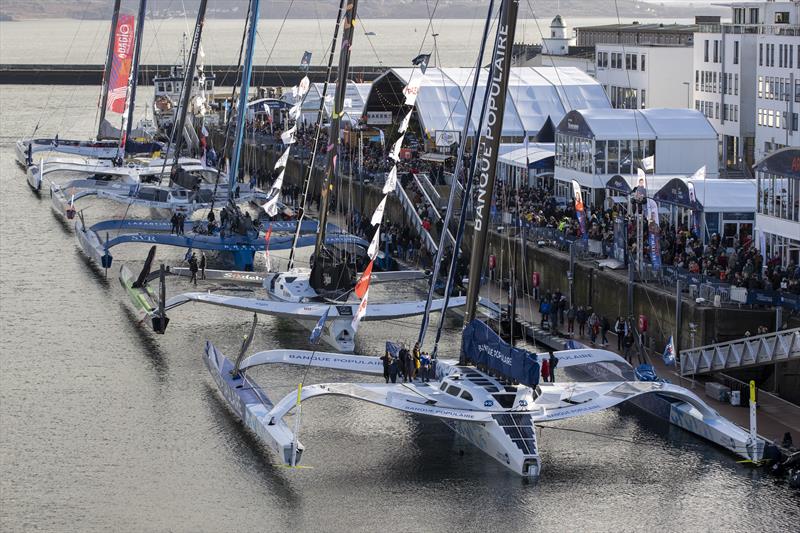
(744, 75)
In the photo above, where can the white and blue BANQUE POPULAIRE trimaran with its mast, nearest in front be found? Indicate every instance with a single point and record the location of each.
(488, 394)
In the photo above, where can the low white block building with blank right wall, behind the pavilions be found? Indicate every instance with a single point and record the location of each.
(642, 76)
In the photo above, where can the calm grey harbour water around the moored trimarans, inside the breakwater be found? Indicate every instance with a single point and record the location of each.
(105, 426)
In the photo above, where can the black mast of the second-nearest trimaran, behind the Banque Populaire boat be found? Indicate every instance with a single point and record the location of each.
(333, 136)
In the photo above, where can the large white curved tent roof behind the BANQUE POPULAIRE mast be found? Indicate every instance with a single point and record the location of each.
(534, 94)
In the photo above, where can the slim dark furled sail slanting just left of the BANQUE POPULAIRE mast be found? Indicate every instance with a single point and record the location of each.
(456, 172)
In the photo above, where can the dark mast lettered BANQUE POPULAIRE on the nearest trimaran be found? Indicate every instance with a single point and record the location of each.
(490, 144)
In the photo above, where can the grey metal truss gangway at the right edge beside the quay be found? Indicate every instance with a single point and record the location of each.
(754, 351)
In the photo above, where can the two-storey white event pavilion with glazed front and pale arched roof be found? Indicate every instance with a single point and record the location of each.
(594, 145)
